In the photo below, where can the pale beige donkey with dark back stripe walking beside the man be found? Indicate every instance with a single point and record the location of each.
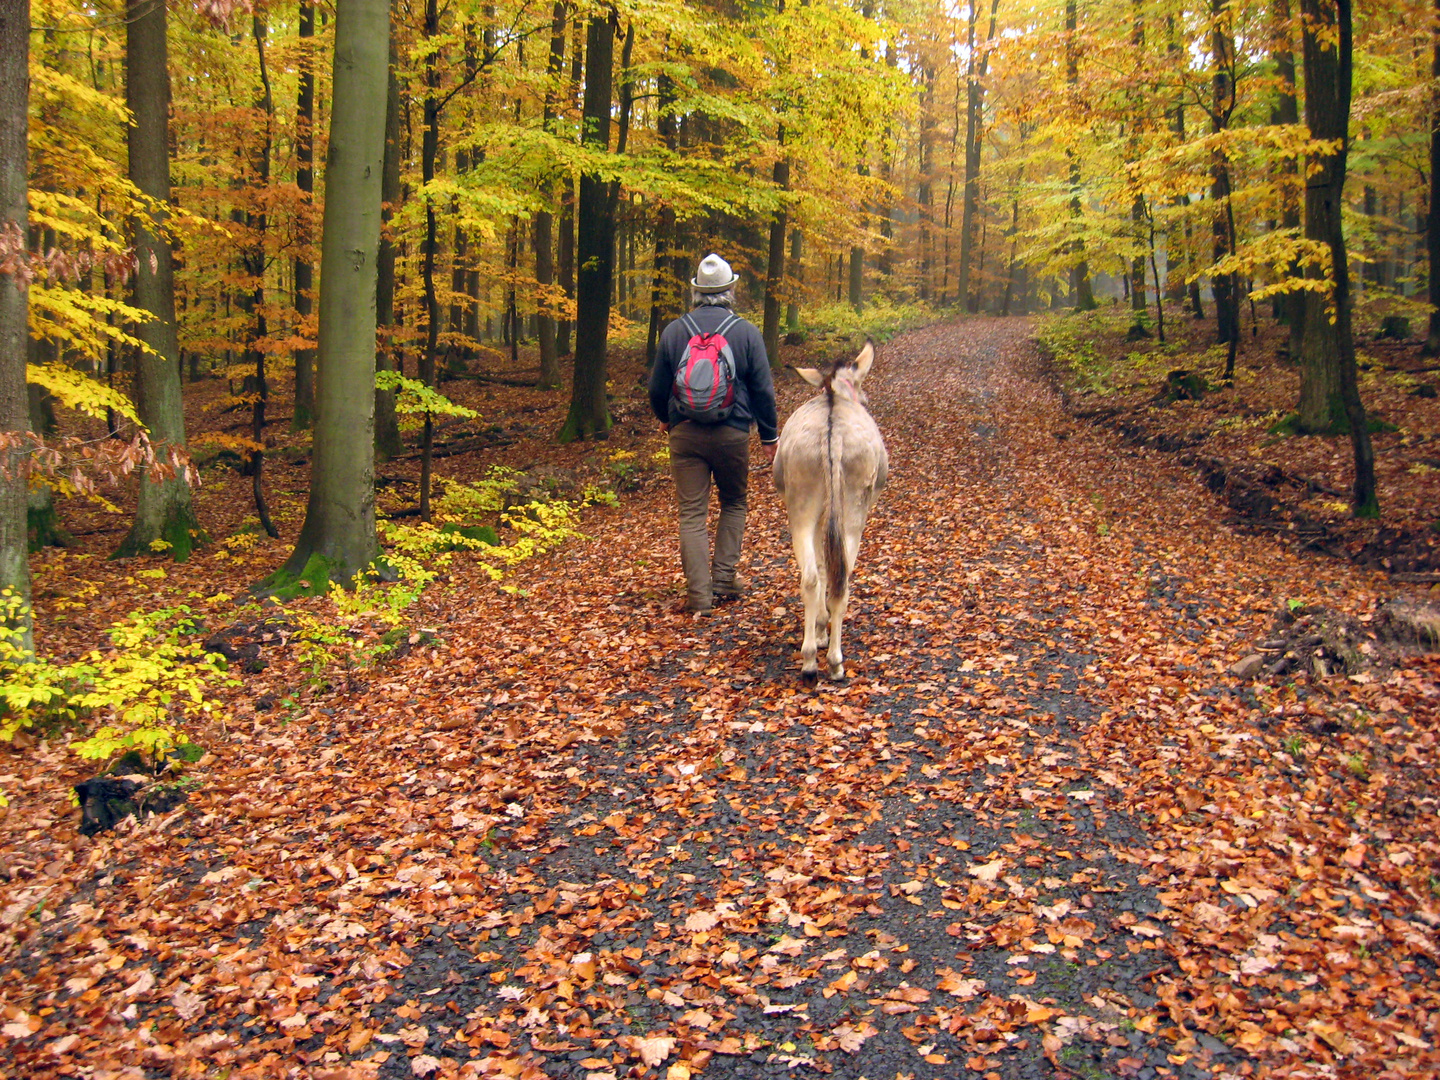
(829, 469)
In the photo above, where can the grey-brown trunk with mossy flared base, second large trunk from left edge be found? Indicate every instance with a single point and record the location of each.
(165, 512)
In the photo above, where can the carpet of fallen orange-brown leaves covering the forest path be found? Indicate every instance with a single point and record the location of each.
(1042, 832)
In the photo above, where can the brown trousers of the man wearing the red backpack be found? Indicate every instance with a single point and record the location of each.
(698, 453)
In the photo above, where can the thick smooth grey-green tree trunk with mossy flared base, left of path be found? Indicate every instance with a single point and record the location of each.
(338, 539)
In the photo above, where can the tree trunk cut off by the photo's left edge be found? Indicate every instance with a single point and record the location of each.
(15, 420)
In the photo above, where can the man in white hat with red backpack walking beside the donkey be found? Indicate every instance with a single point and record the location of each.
(712, 379)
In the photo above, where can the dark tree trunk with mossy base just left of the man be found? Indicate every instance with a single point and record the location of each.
(595, 250)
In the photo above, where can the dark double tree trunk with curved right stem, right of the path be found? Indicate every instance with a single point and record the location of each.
(1328, 378)
